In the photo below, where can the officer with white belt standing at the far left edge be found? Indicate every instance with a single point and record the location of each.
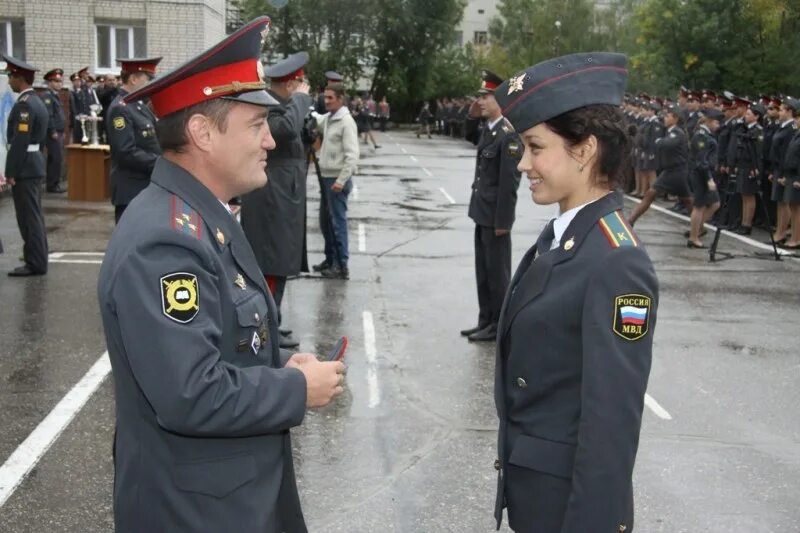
(25, 165)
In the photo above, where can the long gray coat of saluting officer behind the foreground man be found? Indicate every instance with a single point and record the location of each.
(273, 217)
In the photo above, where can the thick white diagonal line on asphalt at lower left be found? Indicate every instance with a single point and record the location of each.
(27, 454)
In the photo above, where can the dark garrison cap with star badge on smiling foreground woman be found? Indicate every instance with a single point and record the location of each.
(555, 86)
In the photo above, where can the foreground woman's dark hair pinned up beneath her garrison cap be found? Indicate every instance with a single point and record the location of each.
(610, 127)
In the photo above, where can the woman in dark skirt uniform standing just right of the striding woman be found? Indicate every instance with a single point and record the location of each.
(702, 165)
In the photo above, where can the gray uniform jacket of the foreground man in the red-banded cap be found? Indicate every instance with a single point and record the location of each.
(203, 404)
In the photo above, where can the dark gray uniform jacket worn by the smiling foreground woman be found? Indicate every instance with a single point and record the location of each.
(574, 348)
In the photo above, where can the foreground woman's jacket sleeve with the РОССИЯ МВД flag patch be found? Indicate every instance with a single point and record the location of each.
(619, 317)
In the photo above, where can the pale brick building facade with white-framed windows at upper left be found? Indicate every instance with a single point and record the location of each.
(72, 34)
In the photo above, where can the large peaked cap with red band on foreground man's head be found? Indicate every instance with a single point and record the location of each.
(230, 70)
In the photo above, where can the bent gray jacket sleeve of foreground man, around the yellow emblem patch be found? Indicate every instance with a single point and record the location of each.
(178, 366)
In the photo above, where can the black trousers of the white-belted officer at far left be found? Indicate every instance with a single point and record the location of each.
(30, 220)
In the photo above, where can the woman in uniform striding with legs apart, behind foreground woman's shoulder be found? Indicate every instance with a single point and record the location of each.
(672, 156)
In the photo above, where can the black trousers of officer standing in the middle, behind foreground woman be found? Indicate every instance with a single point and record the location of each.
(492, 272)
